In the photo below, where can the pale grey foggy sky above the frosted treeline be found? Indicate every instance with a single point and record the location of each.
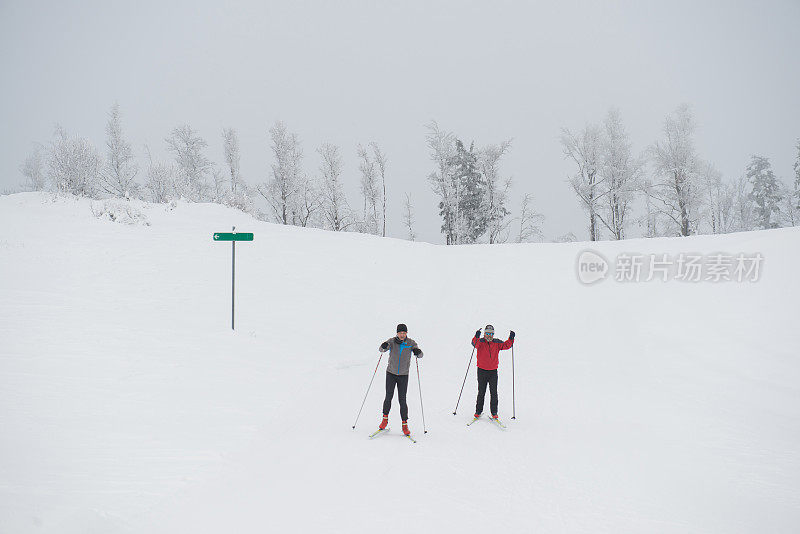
(354, 72)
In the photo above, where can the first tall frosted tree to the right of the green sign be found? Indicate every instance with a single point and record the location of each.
(282, 190)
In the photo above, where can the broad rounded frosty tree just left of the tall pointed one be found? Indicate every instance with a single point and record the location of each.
(74, 165)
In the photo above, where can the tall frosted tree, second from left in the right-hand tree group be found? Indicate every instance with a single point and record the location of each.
(619, 171)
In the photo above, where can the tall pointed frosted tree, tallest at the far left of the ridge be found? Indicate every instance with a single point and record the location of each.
(119, 172)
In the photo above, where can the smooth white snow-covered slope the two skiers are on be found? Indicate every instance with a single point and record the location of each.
(128, 405)
